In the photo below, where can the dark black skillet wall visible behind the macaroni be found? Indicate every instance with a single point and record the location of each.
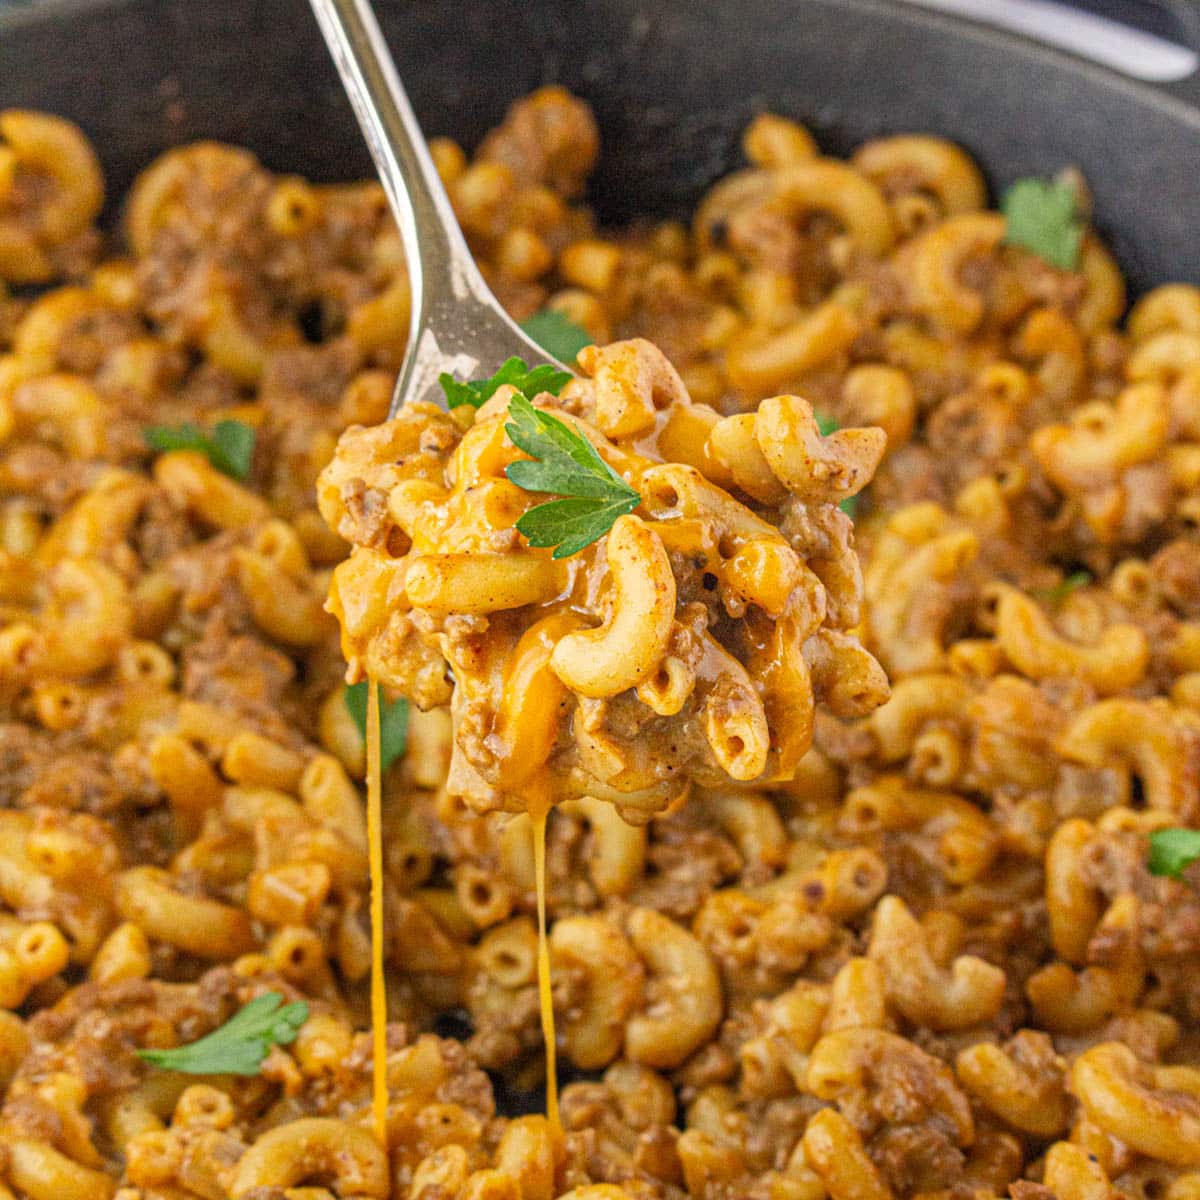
(673, 82)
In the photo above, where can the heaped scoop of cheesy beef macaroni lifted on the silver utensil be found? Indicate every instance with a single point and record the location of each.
(691, 644)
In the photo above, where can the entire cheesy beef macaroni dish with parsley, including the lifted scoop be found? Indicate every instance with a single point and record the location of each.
(782, 733)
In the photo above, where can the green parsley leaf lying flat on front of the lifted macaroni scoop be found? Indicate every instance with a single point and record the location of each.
(567, 465)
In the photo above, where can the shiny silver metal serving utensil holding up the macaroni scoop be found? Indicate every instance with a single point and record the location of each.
(458, 325)
